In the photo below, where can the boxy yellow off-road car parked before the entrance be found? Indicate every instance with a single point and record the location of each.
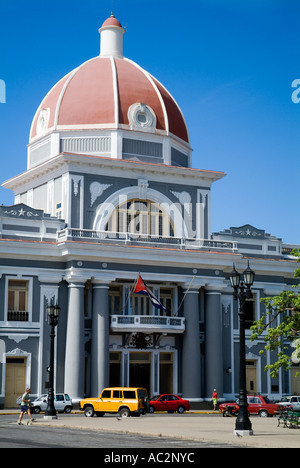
(126, 401)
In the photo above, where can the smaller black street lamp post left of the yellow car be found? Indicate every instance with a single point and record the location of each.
(53, 314)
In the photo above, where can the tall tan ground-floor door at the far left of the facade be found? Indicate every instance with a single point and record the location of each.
(14, 380)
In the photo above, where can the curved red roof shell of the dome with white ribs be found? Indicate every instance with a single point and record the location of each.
(99, 93)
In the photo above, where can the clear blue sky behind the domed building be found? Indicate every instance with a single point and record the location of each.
(229, 64)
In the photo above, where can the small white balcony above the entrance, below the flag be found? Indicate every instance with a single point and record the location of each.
(147, 324)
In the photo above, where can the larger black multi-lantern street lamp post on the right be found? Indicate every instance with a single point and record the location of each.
(242, 290)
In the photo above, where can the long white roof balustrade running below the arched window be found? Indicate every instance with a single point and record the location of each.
(133, 239)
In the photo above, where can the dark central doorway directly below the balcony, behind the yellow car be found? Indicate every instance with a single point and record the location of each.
(139, 370)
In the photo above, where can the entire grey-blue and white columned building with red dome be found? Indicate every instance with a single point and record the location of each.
(110, 192)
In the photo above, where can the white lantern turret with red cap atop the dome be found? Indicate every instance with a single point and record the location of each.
(111, 38)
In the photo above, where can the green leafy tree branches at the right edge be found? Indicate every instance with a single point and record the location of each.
(287, 334)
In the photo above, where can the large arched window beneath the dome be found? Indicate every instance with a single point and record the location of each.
(141, 217)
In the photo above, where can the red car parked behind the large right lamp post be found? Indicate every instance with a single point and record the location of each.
(257, 404)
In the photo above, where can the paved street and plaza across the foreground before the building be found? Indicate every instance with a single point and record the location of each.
(155, 431)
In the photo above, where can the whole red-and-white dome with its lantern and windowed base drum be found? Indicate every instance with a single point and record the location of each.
(109, 106)
